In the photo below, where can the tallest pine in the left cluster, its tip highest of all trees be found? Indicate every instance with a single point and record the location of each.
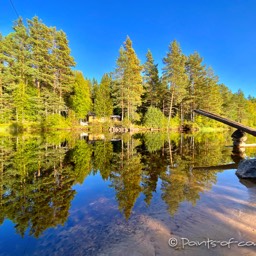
(41, 41)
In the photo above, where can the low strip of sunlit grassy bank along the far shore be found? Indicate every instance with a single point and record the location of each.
(59, 123)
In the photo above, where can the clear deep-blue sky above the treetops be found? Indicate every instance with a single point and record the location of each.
(222, 31)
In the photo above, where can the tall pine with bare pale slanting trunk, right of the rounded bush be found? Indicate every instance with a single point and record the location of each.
(174, 72)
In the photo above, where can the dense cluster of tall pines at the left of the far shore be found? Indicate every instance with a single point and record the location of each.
(35, 72)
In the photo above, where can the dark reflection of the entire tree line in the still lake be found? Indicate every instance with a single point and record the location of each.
(37, 174)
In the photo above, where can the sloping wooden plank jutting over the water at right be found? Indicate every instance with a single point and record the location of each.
(226, 121)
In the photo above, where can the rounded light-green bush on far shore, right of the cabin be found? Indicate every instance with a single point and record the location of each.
(154, 118)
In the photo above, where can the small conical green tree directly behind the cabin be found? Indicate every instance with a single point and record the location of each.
(103, 103)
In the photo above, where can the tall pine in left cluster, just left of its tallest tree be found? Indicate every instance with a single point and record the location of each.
(18, 69)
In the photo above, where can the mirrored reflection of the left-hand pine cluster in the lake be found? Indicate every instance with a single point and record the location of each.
(36, 191)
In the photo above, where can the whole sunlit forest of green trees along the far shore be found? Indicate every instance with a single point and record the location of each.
(40, 88)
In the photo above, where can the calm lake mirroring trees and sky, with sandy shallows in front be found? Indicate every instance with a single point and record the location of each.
(84, 194)
